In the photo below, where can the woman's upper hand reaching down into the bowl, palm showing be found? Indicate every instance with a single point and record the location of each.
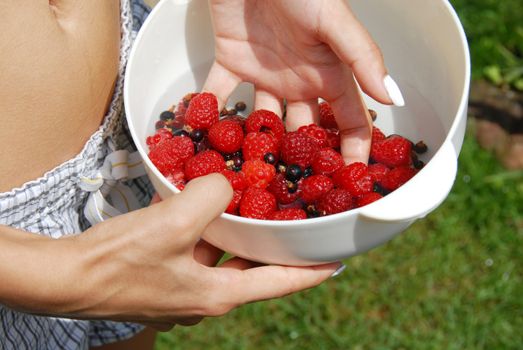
(301, 50)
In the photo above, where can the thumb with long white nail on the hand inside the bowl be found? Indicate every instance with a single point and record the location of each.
(357, 49)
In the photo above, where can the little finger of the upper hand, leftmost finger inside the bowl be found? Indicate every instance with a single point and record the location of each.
(221, 82)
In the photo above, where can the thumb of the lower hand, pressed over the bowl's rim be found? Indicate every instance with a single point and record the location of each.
(202, 200)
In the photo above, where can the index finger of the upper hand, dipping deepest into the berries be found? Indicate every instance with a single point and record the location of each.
(354, 123)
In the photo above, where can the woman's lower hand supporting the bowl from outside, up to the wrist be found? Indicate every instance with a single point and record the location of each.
(150, 266)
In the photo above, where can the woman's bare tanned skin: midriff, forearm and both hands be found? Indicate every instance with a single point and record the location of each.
(57, 79)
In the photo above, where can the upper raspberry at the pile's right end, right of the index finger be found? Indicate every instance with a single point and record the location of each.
(393, 151)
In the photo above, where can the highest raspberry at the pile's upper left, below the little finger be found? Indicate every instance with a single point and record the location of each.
(202, 112)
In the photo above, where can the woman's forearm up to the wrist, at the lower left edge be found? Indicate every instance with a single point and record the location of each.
(37, 273)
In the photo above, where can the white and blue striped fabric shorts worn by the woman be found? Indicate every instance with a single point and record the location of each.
(53, 205)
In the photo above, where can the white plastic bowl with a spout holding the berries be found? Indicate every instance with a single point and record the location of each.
(425, 50)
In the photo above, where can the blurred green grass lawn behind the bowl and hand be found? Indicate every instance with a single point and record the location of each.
(451, 281)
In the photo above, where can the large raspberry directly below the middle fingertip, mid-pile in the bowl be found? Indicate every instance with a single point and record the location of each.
(298, 148)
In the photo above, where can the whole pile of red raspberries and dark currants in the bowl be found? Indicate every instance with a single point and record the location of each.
(276, 175)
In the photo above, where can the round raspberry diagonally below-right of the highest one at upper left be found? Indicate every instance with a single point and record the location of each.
(226, 136)
